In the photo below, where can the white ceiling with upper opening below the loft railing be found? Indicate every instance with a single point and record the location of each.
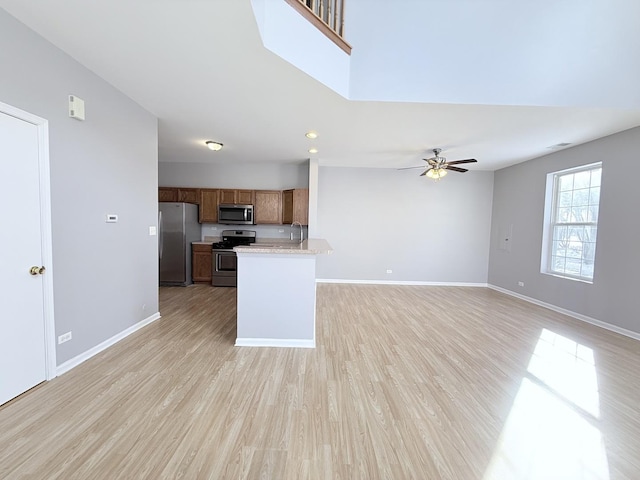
(496, 80)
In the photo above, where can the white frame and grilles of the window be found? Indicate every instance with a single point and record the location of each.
(552, 221)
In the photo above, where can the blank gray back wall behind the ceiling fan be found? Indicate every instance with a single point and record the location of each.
(424, 231)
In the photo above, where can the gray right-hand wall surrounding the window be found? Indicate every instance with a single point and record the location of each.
(518, 200)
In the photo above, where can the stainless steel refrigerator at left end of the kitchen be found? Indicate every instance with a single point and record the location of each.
(178, 226)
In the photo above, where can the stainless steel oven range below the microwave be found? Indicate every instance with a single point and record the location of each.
(225, 262)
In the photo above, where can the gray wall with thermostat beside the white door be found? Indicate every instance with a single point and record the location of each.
(103, 273)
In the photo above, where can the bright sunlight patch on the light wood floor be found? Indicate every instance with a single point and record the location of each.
(552, 429)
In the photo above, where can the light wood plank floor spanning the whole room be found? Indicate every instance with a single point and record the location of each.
(405, 383)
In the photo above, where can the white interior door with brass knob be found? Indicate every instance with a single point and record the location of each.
(22, 321)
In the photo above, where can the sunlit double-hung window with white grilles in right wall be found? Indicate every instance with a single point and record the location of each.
(571, 213)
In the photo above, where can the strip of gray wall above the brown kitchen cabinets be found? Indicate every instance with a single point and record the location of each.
(254, 176)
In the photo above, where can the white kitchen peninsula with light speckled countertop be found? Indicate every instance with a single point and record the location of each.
(277, 293)
